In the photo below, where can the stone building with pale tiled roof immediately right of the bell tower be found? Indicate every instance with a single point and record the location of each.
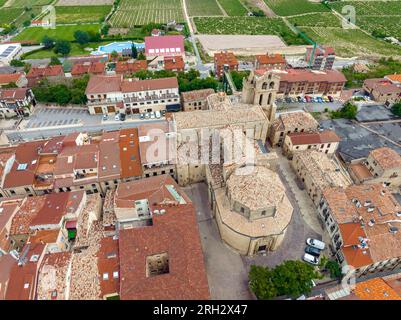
(291, 122)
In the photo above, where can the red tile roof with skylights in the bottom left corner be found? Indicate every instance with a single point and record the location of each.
(22, 283)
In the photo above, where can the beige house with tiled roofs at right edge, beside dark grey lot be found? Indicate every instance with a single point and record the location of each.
(383, 165)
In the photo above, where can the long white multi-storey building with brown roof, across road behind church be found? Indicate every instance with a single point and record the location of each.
(113, 94)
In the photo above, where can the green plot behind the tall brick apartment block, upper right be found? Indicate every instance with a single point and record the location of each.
(352, 42)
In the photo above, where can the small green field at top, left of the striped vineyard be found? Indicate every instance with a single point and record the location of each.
(70, 14)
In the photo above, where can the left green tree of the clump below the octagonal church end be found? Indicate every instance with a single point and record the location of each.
(261, 284)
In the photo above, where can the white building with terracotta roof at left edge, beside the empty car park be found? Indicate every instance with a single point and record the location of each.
(16, 102)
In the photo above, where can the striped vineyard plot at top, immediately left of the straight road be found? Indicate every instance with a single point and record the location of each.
(139, 12)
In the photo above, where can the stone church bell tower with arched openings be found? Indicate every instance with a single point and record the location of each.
(260, 88)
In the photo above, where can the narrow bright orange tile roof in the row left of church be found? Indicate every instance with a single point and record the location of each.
(130, 161)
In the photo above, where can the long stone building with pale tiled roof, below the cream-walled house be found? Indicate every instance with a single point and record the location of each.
(318, 172)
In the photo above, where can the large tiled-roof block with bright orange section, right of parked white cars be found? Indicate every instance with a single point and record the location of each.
(362, 223)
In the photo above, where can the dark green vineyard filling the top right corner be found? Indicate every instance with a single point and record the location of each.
(380, 18)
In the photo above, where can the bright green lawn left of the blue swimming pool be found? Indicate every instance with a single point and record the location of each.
(36, 34)
